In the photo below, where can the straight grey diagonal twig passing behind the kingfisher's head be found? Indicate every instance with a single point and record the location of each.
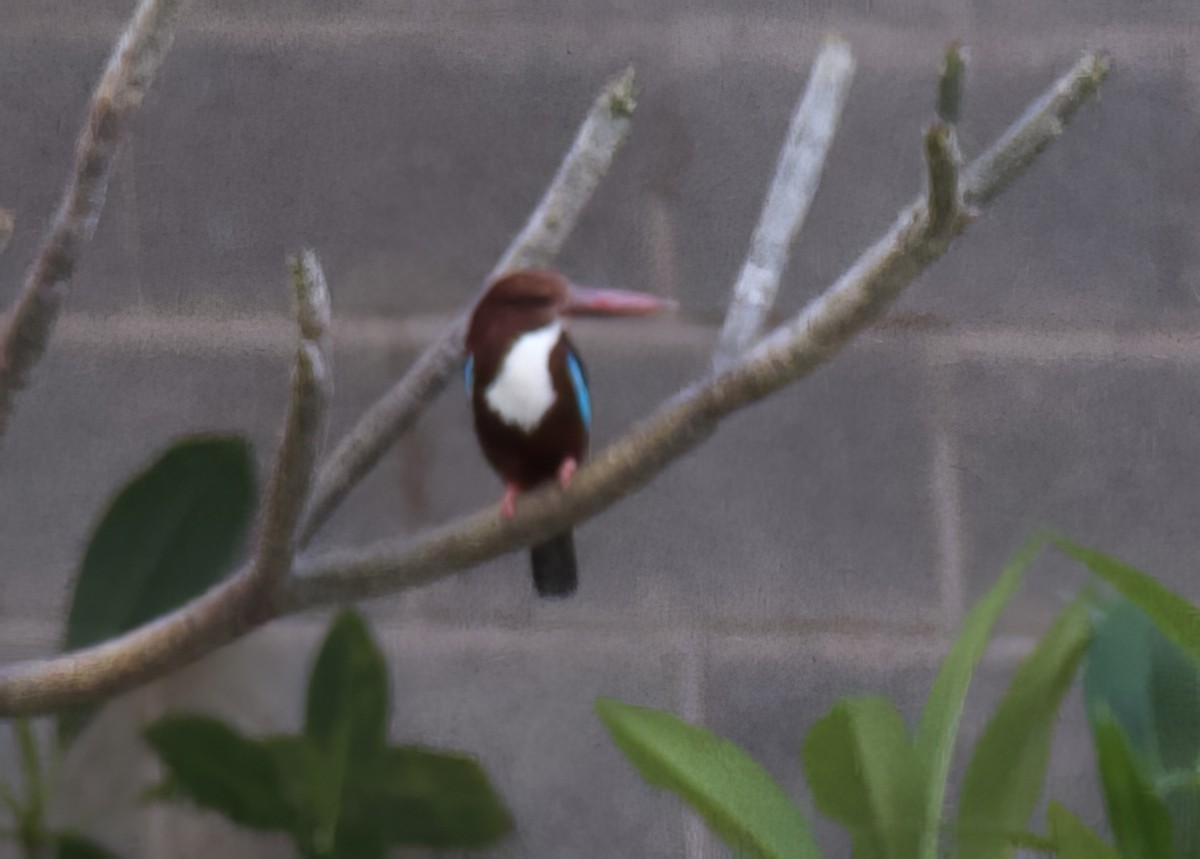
(579, 176)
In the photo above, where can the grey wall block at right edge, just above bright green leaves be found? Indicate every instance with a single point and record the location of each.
(1101, 452)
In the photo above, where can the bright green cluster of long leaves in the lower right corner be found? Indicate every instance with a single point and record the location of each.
(887, 788)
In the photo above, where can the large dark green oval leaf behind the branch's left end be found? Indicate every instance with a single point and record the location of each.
(172, 533)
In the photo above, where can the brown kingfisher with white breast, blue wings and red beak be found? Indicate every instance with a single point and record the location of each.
(530, 393)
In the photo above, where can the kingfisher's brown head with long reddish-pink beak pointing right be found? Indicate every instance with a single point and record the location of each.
(531, 299)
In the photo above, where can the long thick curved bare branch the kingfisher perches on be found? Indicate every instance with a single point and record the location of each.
(921, 235)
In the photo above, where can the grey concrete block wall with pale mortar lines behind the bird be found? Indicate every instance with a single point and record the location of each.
(824, 544)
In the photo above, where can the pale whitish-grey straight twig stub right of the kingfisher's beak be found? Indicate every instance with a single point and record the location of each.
(797, 176)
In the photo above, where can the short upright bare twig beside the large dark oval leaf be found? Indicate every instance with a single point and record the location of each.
(305, 429)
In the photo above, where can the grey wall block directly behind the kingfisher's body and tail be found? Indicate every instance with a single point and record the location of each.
(814, 506)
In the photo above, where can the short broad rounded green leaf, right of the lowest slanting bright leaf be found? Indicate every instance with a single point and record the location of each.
(865, 773)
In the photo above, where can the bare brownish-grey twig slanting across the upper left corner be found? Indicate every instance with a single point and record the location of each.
(124, 85)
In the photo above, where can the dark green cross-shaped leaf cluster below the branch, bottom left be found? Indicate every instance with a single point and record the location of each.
(338, 789)
